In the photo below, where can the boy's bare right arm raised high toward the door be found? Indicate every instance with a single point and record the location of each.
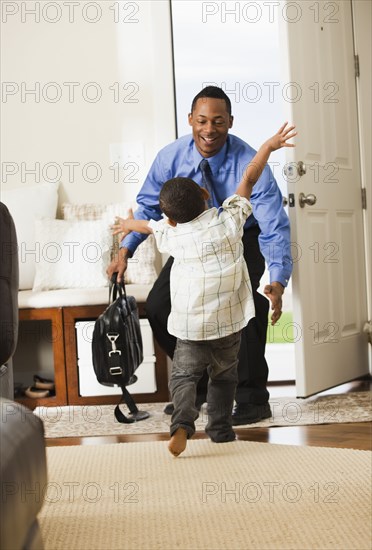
(258, 163)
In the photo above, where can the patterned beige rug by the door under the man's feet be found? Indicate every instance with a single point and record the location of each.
(99, 420)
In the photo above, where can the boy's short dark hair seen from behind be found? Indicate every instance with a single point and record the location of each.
(181, 199)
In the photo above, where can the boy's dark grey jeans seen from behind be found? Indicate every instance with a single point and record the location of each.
(220, 359)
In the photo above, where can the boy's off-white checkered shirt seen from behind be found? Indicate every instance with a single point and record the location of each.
(211, 293)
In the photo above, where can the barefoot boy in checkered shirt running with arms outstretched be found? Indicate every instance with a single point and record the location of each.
(210, 292)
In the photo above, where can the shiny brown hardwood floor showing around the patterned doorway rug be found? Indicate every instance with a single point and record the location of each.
(356, 435)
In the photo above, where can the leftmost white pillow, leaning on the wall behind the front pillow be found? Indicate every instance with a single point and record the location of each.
(25, 205)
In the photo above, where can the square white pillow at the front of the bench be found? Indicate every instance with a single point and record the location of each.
(71, 254)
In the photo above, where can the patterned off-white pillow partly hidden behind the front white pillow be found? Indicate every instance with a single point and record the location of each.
(141, 268)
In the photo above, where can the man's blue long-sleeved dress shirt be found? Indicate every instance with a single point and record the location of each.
(181, 158)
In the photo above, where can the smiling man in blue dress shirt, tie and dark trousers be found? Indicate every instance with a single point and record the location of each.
(266, 237)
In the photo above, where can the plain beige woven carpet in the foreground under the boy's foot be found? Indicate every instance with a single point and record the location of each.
(231, 496)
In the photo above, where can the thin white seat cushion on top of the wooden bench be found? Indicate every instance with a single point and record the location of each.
(75, 296)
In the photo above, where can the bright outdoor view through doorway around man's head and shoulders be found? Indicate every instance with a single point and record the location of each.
(235, 46)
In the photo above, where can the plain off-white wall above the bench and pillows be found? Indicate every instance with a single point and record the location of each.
(127, 49)
